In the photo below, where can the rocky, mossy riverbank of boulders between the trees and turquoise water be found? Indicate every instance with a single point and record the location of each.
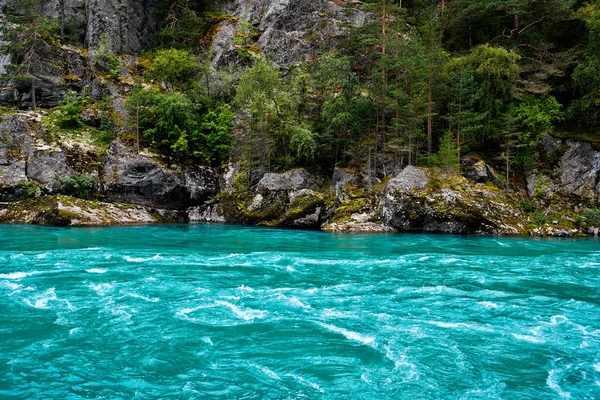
(559, 197)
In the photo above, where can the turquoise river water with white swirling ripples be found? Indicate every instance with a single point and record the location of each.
(193, 312)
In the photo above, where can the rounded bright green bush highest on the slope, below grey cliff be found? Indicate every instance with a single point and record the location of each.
(176, 69)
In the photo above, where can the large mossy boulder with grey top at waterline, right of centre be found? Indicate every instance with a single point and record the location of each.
(414, 202)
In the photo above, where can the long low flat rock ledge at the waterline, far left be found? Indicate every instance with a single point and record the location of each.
(68, 211)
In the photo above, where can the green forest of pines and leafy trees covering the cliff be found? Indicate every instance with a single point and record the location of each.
(422, 82)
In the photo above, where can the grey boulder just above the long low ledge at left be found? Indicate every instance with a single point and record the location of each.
(137, 179)
